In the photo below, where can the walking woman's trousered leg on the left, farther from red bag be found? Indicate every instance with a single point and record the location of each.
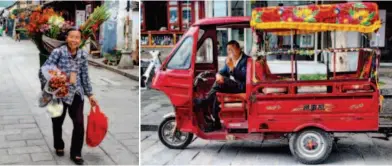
(57, 124)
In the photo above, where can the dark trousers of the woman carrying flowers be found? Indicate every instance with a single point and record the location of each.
(76, 113)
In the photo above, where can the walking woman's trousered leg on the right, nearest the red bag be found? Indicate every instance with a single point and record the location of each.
(76, 114)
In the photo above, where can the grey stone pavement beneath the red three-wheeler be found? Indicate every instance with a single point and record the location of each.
(352, 149)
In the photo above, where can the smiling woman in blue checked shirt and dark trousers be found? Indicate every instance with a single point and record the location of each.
(73, 61)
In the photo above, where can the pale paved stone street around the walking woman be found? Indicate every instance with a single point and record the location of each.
(26, 129)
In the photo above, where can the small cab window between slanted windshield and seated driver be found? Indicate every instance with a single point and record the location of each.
(205, 52)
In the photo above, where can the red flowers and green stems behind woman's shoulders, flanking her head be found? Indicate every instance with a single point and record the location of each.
(48, 29)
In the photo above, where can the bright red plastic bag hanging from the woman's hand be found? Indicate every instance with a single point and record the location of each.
(97, 126)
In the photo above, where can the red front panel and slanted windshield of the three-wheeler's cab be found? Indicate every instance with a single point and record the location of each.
(176, 78)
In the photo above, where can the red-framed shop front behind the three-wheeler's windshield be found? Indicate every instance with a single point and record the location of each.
(164, 22)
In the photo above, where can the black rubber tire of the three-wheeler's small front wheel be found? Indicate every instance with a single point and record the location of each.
(182, 145)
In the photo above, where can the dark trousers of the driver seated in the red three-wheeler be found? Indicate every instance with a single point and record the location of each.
(228, 86)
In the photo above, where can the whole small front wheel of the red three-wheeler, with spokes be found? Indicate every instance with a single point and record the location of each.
(172, 137)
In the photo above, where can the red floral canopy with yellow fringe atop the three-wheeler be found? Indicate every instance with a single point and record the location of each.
(356, 16)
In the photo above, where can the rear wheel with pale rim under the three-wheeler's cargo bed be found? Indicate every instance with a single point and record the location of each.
(326, 141)
